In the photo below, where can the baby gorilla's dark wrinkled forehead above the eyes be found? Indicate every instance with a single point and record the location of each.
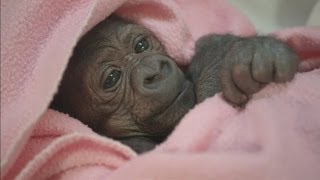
(113, 38)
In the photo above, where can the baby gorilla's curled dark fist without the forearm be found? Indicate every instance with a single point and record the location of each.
(253, 62)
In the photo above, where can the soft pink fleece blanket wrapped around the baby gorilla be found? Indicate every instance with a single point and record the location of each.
(276, 137)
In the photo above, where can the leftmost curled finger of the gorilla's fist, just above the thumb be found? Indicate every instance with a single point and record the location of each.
(243, 79)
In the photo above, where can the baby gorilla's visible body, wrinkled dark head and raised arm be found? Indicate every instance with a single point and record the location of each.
(122, 84)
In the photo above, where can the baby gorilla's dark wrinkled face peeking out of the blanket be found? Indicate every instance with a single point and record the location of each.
(121, 83)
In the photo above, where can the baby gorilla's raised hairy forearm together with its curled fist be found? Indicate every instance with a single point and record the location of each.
(239, 66)
